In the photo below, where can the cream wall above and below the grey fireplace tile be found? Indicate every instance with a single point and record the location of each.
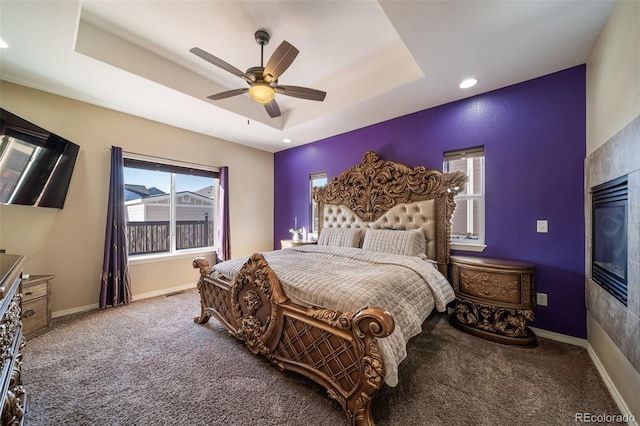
(613, 100)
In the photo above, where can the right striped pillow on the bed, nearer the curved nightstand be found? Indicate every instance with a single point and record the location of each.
(408, 243)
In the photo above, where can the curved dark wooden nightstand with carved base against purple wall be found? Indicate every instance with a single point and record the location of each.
(494, 298)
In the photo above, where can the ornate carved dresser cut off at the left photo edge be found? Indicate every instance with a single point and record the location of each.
(13, 395)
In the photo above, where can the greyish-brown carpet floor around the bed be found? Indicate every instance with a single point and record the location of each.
(148, 364)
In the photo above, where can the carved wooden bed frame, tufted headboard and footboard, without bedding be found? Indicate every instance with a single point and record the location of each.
(339, 350)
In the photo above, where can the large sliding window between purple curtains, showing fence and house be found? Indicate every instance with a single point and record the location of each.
(169, 208)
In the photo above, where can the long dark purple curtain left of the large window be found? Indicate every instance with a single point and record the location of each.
(115, 288)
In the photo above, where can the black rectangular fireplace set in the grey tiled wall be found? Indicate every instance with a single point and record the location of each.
(609, 237)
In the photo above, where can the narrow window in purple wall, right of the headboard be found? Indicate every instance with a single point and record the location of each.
(467, 230)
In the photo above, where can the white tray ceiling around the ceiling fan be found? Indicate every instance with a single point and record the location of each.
(376, 60)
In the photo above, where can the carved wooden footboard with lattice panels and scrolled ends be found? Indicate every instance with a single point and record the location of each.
(338, 350)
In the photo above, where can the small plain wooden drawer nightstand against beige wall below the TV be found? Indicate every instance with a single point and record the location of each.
(36, 305)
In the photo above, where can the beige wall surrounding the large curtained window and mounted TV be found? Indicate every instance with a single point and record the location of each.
(69, 242)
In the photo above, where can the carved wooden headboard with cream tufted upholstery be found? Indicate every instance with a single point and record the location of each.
(385, 194)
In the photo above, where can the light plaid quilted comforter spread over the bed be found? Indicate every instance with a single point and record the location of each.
(348, 279)
